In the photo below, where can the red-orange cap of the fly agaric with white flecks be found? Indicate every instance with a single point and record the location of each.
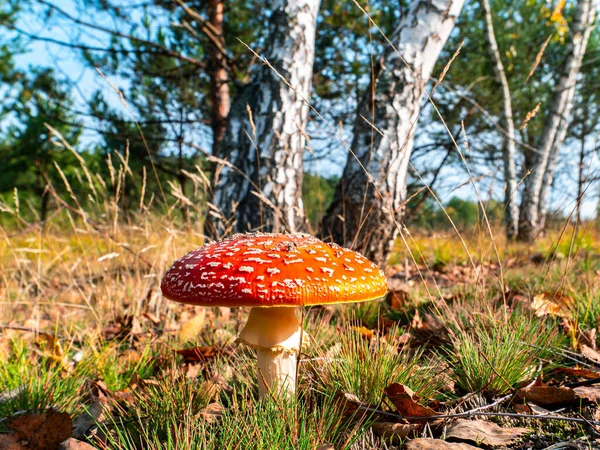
(272, 270)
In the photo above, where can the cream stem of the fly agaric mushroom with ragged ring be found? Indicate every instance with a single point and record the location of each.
(275, 334)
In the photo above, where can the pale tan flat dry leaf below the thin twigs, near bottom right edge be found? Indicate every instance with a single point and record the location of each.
(483, 432)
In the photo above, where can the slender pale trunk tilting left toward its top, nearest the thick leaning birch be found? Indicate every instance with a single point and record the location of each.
(511, 207)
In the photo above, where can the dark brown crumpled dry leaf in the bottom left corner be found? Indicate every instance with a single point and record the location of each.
(42, 431)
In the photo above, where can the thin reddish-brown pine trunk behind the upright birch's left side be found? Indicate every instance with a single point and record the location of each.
(219, 87)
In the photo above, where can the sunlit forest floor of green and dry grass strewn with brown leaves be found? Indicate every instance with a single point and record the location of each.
(494, 347)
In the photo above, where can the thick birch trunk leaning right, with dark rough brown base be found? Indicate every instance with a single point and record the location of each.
(368, 201)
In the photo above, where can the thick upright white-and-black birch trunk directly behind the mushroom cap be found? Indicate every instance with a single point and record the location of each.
(262, 188)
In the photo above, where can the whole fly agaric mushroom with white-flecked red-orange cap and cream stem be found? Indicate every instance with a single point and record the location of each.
(273, 274)
